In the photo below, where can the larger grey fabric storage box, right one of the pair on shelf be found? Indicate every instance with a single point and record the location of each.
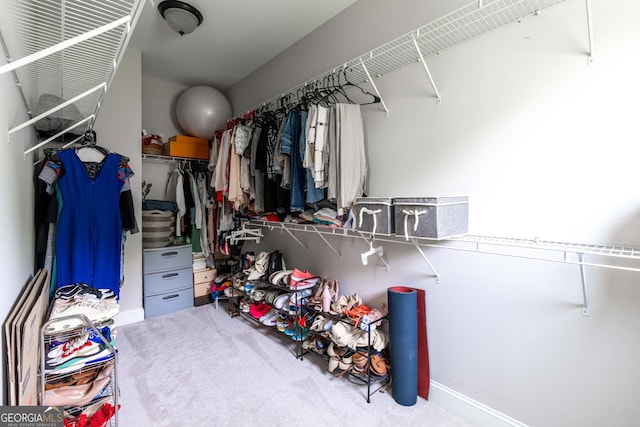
(431, 217)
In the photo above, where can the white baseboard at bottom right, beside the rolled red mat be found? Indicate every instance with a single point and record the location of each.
(468, 409)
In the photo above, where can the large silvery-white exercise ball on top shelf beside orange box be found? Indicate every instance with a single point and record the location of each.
(201, 110)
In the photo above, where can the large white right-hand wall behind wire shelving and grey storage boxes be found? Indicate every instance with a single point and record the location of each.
(543, 146)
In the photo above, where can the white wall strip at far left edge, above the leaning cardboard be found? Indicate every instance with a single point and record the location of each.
(16, 216)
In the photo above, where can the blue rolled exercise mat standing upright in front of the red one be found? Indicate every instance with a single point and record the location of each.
(403, 344)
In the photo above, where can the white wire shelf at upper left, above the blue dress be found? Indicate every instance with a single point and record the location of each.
(64, 48)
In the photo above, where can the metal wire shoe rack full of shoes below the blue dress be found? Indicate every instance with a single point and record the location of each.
(101, 374)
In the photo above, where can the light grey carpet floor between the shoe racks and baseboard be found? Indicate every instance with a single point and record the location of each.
(200, 367)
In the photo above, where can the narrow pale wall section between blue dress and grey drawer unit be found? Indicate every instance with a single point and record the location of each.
(118, 128)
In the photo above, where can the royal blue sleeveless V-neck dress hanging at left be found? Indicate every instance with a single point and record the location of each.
(89, 231)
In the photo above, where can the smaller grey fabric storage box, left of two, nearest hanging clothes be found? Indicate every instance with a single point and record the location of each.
(375, 215)
